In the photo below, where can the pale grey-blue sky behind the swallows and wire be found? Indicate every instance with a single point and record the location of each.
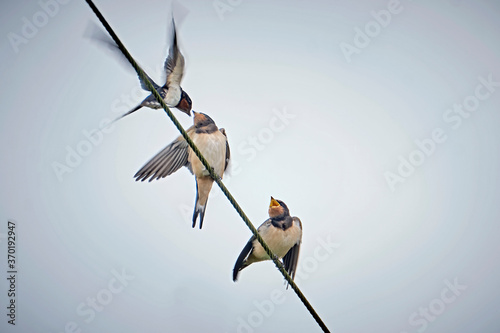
(393, 251)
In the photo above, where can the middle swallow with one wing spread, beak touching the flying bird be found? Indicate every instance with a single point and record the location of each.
(212, 143)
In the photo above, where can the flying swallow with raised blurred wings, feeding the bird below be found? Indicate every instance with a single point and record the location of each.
(171, 91)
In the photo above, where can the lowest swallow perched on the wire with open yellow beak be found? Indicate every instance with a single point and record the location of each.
(282, 233)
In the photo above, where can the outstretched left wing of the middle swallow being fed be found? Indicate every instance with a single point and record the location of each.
(170, 159)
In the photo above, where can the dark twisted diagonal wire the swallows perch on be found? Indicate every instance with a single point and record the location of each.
(217, 179)
